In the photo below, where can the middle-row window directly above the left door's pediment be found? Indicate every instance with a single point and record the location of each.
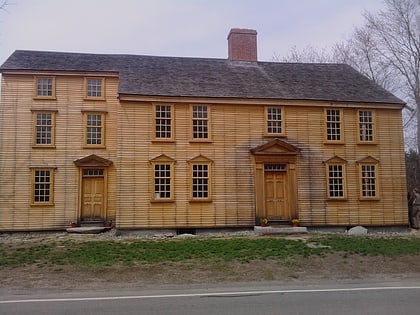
(94, 129)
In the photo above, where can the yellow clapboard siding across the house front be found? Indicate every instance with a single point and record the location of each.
(235, 129)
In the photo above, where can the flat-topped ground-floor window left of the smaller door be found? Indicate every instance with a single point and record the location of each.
(42, 186)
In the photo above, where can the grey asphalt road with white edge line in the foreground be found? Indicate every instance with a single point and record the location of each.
(256, 299)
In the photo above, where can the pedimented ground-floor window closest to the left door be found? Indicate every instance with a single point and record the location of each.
(162, 182)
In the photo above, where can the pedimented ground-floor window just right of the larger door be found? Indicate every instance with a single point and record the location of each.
(336, 178)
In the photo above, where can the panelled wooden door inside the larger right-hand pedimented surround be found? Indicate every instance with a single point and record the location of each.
(275, 196)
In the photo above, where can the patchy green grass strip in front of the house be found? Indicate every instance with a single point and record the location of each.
(99, 254)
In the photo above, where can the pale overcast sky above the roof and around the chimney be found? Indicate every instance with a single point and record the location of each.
(191, 28)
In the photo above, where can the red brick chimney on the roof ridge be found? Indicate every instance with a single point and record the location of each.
(242, 45)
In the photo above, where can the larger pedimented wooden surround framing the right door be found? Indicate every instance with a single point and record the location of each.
(276, 152)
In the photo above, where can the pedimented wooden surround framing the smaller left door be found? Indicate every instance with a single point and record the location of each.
(94, 163)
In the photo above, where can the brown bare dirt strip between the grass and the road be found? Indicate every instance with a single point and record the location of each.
(331, 266)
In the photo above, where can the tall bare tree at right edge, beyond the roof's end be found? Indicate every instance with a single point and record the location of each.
(395, 43)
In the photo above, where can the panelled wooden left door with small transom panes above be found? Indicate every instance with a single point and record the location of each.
(93, 195)
